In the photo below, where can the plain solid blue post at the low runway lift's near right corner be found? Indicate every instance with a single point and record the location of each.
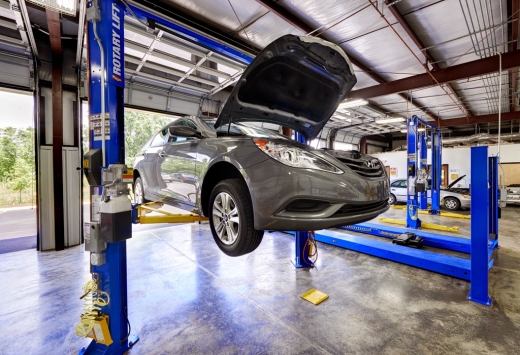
(479, 226)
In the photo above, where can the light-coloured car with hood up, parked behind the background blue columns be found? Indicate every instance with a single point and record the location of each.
(453, 198)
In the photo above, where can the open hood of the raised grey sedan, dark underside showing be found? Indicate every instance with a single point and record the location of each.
(296, 82)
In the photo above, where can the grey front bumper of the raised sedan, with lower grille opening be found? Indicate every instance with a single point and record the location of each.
(348, 198)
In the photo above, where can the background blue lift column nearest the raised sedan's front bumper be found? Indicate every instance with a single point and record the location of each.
(412, 213)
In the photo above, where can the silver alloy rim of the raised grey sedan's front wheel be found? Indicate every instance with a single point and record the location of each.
(225, 218)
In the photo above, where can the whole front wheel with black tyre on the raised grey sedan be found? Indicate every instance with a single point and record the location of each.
(231, 218)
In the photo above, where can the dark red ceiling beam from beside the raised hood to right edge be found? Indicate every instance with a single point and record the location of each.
(478, 67)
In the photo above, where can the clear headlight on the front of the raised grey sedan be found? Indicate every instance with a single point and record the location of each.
(295, 157)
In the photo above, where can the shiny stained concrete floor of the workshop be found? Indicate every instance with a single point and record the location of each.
(186, 297)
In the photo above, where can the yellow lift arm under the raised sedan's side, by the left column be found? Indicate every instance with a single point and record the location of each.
(140, 214)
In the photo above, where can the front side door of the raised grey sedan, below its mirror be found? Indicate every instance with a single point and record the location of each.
(178, 169)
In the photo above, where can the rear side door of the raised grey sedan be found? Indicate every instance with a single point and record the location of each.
(148, 167)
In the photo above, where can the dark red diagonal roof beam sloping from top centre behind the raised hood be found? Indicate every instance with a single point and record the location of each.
(287, 16)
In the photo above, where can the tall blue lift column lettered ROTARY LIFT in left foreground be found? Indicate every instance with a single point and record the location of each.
(113, 274)
